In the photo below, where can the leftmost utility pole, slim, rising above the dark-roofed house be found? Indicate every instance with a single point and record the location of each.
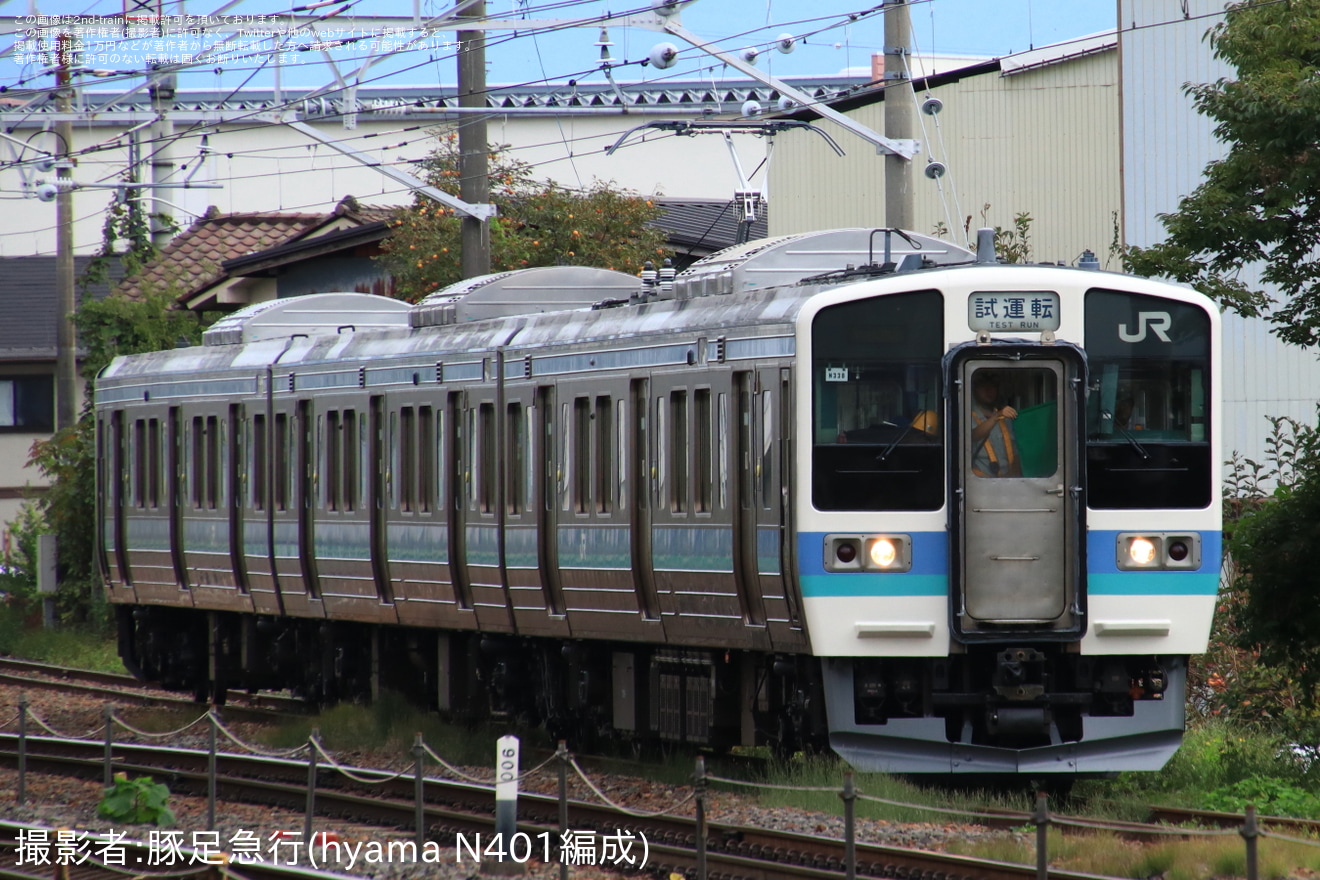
(67, 354)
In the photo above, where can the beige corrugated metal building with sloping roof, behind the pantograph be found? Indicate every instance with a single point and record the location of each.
(1036, 133)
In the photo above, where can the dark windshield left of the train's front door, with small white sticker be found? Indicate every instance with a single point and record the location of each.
(878, 444)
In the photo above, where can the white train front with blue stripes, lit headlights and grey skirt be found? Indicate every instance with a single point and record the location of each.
(1026, 615)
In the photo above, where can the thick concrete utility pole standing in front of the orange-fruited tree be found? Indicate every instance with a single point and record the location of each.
(473, 146)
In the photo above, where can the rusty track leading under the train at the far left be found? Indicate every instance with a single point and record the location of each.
(27, 674)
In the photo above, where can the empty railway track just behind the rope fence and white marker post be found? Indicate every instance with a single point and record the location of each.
(455, 809)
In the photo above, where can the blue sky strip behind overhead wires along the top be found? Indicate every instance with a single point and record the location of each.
(828, 40)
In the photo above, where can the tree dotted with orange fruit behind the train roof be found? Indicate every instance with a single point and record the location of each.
(539, 224)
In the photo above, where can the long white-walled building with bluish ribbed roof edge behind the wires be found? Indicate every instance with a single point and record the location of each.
(228, 148)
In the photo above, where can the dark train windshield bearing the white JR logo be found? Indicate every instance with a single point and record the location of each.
(1148, 419)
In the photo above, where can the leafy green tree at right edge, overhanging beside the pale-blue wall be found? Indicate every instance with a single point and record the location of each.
(1261, 203)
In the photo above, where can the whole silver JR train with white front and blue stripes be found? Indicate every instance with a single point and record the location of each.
(856, 490)
